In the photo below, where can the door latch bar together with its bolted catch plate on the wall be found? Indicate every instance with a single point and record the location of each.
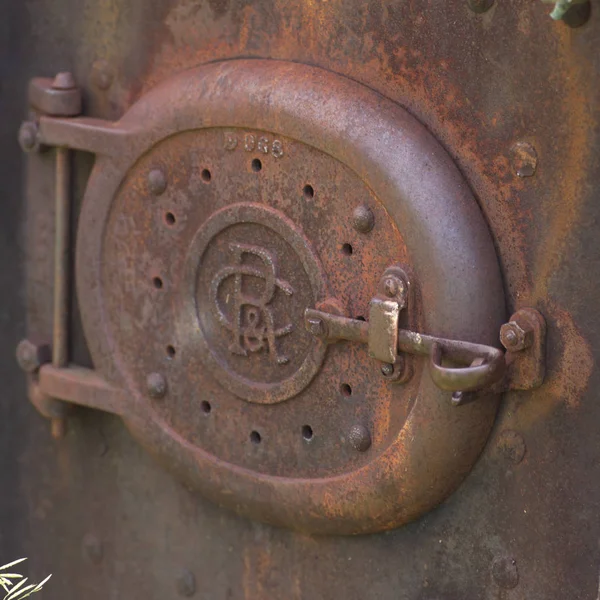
(474, 366)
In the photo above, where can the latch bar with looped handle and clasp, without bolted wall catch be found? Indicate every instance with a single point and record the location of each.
(456, 366)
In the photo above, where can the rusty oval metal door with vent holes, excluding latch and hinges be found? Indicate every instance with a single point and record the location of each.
(233, 210)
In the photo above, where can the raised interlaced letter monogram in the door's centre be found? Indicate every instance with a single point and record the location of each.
(251, 320)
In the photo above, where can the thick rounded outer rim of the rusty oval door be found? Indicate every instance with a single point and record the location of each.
(452, 254)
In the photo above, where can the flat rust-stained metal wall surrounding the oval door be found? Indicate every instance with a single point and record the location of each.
(97, 512)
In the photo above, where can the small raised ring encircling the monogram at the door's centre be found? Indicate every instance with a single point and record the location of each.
(260, 392)
